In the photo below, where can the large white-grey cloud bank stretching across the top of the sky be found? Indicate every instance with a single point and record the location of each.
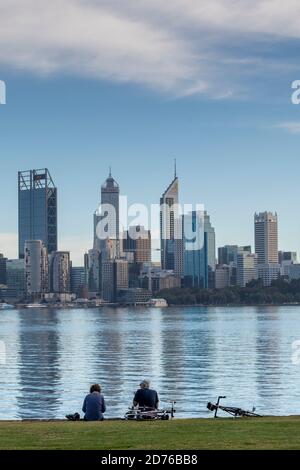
(180, 47)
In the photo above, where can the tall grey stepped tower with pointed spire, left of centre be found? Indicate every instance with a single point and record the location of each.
(110, 194)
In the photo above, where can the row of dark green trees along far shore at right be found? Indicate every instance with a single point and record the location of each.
(280, 292)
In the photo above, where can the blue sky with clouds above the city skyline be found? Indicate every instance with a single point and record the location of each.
(133, 85)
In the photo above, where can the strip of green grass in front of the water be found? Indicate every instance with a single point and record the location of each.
(260, 433)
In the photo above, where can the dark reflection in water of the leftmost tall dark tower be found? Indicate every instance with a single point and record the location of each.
(39, 371)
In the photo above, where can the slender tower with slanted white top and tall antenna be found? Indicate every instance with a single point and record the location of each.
(171, 229)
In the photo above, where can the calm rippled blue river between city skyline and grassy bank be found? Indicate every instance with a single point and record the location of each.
(191, 355)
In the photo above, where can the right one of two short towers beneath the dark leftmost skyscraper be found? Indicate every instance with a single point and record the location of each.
(60, 272)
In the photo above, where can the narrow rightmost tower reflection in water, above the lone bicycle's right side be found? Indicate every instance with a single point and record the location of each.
(268, 355)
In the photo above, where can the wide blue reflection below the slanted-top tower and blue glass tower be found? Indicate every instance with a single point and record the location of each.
(187, 348)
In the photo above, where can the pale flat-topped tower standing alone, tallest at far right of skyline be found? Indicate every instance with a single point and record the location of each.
(266, 237)
